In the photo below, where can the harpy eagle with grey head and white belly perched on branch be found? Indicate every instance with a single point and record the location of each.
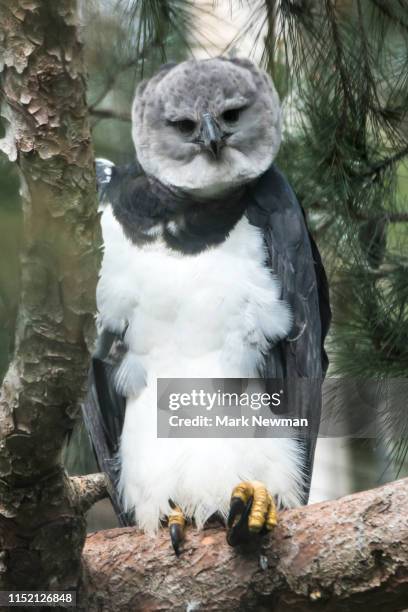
(208, 271)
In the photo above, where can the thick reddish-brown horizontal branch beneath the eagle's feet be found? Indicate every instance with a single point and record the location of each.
(333, 556)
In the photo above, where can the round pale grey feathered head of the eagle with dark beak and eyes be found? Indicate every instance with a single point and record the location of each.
(207, 126)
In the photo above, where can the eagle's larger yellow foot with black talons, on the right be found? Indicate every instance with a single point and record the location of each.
(252, 510)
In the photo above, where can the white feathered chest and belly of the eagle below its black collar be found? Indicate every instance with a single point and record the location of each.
(207, 315)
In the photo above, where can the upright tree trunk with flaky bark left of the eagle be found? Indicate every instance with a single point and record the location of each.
(42, 525)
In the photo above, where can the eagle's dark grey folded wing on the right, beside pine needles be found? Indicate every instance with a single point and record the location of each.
(300, 360)
